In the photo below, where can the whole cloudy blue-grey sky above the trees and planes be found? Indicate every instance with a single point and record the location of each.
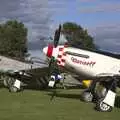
(41, 17)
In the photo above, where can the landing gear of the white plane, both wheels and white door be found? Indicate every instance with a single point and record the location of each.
(104, 98)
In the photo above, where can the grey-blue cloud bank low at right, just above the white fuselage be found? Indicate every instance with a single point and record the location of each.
(107, 36)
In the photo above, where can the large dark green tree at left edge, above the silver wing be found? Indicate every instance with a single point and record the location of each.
(13, 39)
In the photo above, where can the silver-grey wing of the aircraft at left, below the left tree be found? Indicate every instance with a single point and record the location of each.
(11, 66)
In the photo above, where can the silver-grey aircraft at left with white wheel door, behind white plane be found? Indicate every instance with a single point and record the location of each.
(15, 74)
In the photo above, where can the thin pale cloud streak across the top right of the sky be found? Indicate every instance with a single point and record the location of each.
(101, 7)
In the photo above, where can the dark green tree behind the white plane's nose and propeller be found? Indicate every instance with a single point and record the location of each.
(77, 36)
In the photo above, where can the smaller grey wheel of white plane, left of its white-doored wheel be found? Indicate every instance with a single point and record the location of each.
(87, 96)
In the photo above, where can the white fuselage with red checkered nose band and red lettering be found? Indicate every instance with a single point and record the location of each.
(85, 62)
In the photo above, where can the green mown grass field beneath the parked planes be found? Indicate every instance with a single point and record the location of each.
(37, 105)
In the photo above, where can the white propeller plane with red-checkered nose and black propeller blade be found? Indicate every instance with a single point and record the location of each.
(100, 67)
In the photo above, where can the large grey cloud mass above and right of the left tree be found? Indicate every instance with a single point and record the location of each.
(35, 14)
